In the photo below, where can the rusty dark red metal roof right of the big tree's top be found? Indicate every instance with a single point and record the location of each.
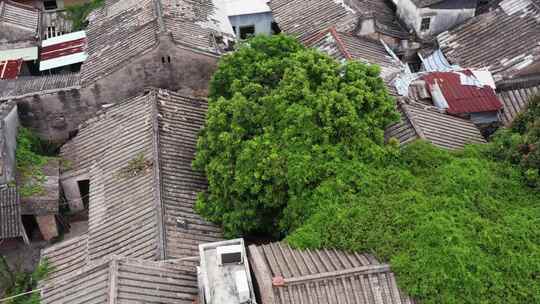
(463, 98)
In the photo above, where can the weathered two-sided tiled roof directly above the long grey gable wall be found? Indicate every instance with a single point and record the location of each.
(124, 29)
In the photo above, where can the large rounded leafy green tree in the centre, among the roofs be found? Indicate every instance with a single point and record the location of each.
(281, 119)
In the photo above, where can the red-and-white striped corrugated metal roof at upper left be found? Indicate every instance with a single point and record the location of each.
(63, 50)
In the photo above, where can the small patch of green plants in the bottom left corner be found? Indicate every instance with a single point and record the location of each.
(16, 282)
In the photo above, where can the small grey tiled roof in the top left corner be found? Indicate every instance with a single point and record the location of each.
(18, 25)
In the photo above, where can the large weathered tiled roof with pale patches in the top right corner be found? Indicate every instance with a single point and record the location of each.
(505, 40)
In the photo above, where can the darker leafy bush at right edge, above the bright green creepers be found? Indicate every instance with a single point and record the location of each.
(520, 144)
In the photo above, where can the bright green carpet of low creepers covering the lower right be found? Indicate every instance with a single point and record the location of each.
(456, 227)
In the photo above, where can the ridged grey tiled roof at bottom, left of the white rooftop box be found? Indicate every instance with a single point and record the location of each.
(122, 281)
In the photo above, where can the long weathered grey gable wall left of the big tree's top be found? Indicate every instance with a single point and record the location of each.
(56, 116)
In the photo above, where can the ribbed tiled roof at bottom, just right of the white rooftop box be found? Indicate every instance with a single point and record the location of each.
(322, 276)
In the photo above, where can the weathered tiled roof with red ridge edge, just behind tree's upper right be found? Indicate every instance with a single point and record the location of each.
(346, 46)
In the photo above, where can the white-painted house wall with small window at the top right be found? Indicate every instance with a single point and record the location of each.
(441, 19)
